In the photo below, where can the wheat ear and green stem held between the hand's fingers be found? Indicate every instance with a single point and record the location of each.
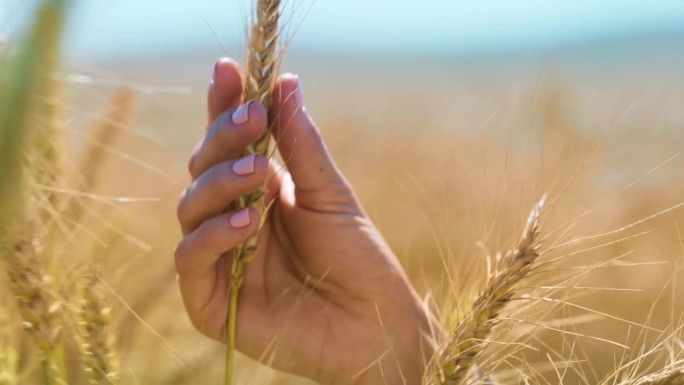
(262, 65)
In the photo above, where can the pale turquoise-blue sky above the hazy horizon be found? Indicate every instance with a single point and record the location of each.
(110, 29)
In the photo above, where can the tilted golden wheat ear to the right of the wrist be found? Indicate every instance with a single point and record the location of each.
(469, 337)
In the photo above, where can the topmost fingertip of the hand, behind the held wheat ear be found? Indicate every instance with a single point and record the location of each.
(225, 89)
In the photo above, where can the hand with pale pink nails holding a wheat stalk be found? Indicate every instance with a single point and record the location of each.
(324, 297)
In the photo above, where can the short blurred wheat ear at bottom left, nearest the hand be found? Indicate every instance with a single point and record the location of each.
(96, 338)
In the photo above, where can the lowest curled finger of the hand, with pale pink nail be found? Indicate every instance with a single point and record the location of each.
(198, 252)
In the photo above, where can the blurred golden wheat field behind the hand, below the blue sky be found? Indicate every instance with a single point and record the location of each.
(448, 159)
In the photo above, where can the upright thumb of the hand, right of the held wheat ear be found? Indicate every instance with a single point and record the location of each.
(299, 140)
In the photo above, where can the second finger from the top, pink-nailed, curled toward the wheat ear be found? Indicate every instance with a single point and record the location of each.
(229, 134)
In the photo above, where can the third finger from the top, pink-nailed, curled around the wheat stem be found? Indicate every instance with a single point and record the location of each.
(213, 191)
